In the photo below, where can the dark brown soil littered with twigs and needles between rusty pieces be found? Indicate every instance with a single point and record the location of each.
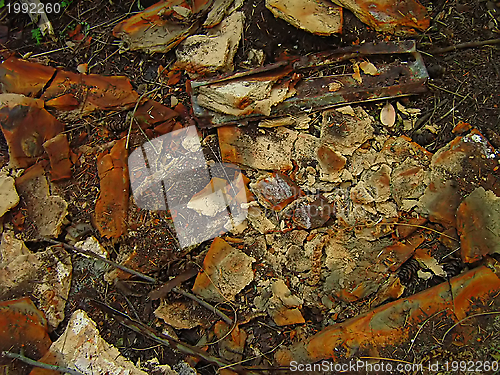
(464, 86)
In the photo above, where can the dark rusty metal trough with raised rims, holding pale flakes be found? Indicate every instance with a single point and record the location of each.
(315, 93)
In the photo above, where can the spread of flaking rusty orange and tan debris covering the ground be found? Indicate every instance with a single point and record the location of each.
(297, 205)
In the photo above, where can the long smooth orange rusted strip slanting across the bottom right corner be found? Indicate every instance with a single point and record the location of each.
(395, 323)
